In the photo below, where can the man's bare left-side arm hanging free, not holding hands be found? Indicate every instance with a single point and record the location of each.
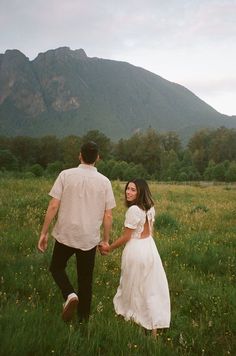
(50, 214)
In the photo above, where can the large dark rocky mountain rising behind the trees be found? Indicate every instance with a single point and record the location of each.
(63, 92)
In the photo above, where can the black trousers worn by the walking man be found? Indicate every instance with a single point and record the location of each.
(85, 265)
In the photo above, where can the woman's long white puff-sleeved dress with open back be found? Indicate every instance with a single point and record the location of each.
(143, 292)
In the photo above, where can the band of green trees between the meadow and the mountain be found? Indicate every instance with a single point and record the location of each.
(209, 155)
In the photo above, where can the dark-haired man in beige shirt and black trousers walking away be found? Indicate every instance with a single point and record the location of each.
(84, 200)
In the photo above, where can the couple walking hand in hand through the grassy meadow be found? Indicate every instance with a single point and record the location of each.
(83, 200)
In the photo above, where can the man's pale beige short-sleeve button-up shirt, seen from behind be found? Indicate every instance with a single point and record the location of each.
(84, 195)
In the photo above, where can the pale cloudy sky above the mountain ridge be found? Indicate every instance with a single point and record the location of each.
(189, 42)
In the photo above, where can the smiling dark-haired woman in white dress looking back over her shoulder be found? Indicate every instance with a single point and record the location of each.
(143, 293)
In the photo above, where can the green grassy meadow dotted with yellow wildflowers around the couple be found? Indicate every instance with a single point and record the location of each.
(196, 237)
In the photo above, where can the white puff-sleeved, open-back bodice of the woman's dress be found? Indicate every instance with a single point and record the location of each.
(135, 219)
